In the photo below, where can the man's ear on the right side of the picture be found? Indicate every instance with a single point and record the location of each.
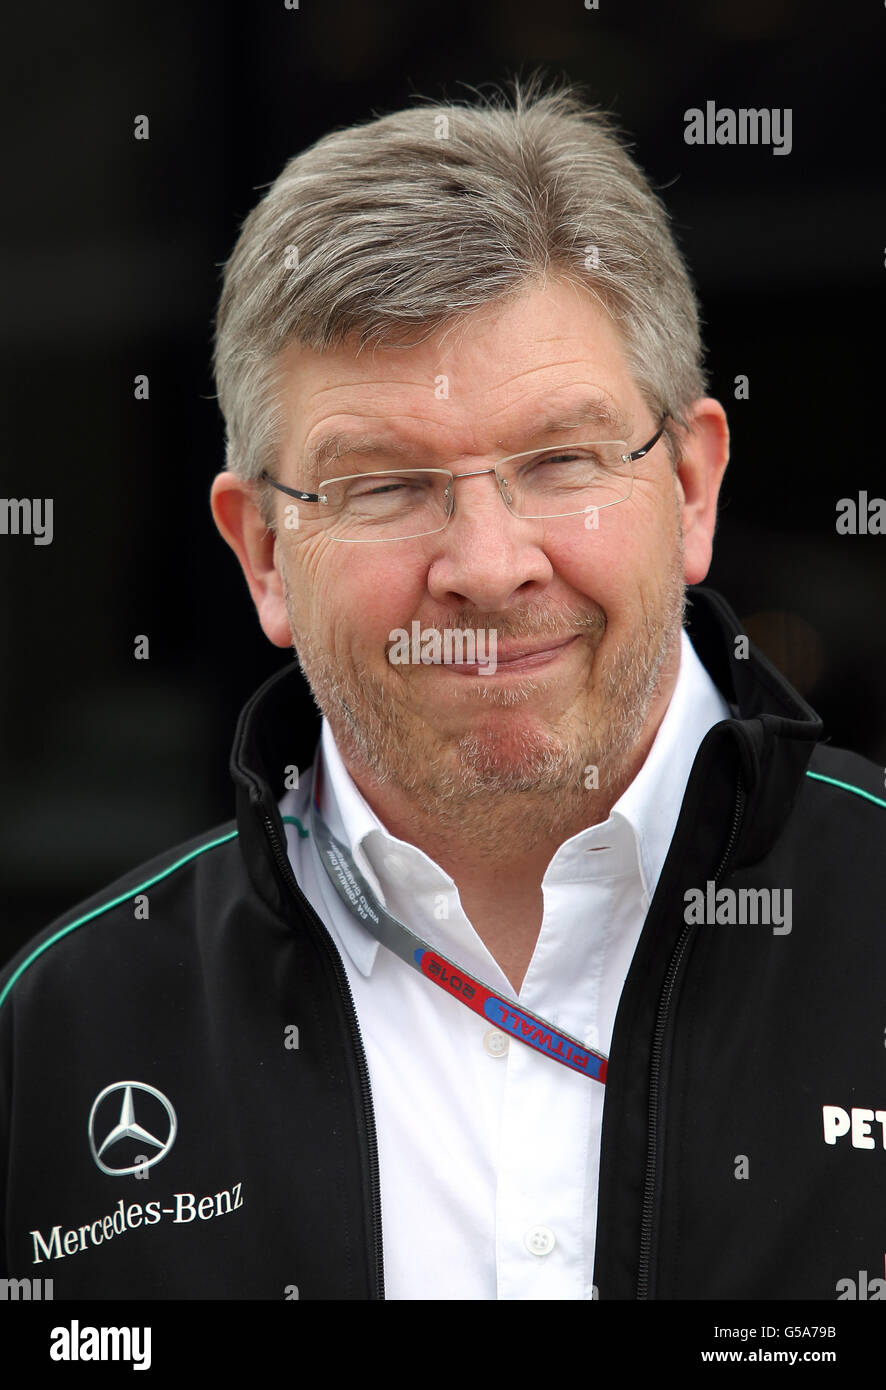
(700, 473)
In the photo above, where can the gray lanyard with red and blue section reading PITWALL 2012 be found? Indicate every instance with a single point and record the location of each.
(390, 932)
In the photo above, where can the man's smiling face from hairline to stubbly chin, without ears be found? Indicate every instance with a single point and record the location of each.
(590, 614)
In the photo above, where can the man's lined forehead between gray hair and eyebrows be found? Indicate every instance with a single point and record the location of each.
(474, 386)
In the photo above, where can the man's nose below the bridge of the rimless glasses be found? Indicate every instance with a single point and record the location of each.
(486, 557)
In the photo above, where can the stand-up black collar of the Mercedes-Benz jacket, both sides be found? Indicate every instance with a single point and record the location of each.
(770, 743)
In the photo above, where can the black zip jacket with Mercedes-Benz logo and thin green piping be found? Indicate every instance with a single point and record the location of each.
(190, 975)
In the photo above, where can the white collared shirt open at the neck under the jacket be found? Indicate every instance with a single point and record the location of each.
(489, 1152)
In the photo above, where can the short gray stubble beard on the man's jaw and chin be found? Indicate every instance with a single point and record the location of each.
(465, 786)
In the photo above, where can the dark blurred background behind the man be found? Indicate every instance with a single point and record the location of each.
(112, 255)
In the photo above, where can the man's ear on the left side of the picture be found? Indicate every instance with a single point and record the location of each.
(236, 511)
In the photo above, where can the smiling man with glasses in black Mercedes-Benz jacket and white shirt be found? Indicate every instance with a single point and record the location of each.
(540, 968)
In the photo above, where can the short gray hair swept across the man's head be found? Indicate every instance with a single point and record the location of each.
(412, 220)
